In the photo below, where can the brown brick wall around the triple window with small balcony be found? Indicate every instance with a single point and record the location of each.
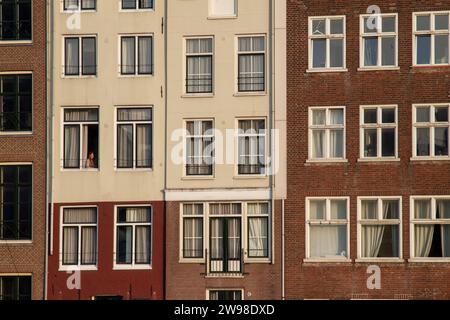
(184, 280)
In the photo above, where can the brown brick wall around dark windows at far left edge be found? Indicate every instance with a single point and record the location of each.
(29, 258)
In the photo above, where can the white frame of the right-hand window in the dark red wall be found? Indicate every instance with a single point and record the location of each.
(133, 265)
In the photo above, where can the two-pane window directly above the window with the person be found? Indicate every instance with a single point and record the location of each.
(80, 56)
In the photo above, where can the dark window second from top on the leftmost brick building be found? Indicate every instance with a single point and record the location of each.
(16, 96)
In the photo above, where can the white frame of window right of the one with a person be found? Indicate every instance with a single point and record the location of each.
(134, 123)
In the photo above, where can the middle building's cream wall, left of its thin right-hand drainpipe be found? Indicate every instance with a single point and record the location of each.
(190, 18)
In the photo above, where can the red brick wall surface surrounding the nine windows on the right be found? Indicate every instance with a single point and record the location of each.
(405, 178)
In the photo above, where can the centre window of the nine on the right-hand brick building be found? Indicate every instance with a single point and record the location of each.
(378, 132)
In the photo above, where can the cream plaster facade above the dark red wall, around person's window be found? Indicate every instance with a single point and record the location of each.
(108, 90)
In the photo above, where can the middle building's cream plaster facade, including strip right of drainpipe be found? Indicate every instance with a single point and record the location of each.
(225, 105)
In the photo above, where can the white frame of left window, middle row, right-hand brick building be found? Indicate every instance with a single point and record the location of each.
(327, 127)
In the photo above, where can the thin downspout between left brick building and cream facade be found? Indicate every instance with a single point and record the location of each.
(49, 175)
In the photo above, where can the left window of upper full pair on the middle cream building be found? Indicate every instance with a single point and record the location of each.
(199, 65)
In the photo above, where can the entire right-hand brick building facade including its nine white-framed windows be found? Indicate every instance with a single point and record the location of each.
(388, 105)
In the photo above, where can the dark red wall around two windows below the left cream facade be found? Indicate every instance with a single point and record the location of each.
(130, 284)
